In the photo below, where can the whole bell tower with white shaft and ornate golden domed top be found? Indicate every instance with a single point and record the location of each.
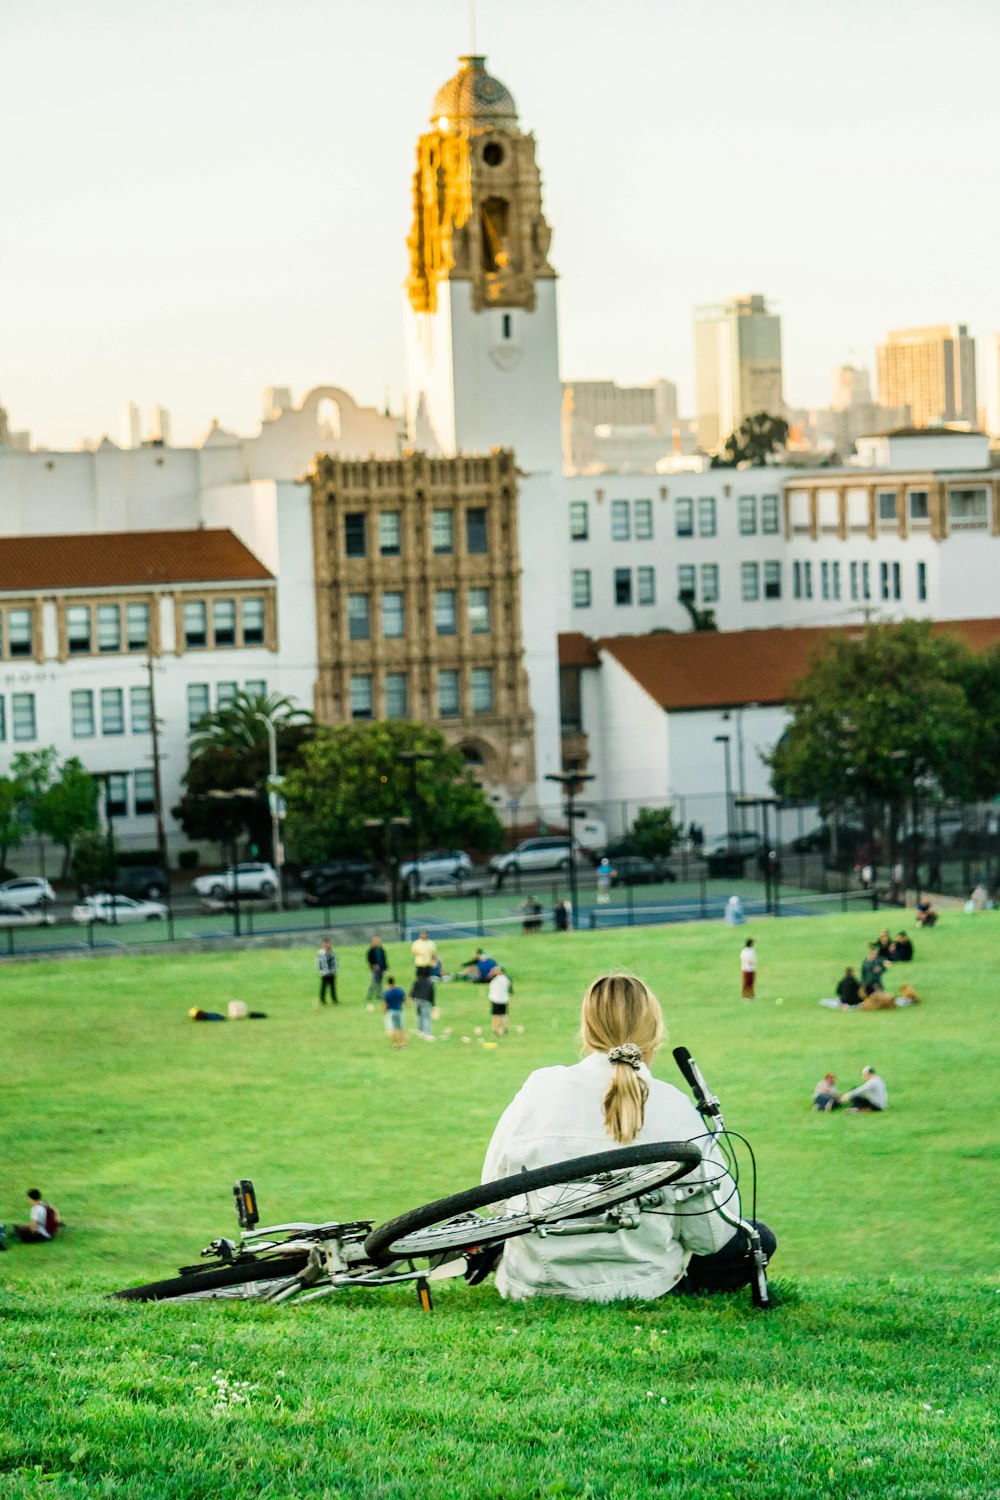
(482, 335)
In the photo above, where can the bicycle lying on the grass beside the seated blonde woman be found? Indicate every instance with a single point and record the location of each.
(463, 1234)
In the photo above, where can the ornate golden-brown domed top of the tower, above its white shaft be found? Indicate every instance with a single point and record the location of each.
(478, 199)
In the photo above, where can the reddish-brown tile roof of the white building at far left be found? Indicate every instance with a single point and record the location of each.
(121, 559)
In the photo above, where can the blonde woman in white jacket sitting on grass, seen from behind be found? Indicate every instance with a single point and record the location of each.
(611, 1099)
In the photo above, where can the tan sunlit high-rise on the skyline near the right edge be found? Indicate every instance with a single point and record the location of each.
(932, 371)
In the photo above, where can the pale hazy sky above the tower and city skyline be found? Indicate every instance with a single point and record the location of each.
(209, 197)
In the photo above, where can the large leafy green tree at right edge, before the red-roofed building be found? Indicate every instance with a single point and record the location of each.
(885, 718)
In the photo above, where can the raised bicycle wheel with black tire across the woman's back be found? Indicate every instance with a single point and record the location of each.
(433, 1229)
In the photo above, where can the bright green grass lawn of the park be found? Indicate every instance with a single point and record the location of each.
(872, 1378)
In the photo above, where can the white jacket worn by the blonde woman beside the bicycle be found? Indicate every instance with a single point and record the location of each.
(557, 1115)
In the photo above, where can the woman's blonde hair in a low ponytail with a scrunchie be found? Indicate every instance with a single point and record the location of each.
(623, 1016)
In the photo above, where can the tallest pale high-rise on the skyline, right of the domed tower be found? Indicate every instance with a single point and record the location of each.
(738, 365)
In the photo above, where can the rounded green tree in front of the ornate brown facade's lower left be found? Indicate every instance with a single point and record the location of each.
(353, 773)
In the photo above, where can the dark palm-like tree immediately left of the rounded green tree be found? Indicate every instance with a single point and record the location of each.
(230, 751)
